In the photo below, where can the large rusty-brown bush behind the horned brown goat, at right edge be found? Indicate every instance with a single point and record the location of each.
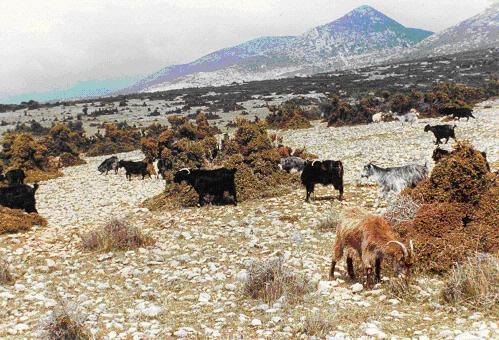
(460, 212)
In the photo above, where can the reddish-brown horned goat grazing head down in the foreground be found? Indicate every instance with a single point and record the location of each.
(374, 240)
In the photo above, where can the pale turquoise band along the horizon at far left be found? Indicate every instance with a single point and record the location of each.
(82, 89)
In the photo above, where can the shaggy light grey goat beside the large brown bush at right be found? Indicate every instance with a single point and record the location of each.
(396, 178)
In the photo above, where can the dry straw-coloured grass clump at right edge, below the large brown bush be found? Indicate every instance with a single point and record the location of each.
(474, 283)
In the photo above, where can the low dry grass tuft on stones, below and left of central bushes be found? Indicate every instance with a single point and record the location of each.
(116, 235)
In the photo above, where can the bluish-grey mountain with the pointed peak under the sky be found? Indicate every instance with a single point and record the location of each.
(356, 39)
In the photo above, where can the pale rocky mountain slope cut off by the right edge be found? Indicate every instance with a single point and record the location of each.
(478, 32)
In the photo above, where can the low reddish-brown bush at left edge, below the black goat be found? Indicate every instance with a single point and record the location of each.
(14, 220)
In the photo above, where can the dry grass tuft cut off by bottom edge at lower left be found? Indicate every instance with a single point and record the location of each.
(65, 322)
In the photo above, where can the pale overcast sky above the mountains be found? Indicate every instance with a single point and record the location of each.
(51, 44)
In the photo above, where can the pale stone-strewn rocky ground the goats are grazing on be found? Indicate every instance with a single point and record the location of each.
(190, 283)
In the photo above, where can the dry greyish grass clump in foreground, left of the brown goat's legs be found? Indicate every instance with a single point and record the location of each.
(269, 280)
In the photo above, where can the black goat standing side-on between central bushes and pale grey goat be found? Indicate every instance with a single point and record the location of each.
(322, 172)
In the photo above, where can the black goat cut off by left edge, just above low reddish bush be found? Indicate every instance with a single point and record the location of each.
(19, 196)
